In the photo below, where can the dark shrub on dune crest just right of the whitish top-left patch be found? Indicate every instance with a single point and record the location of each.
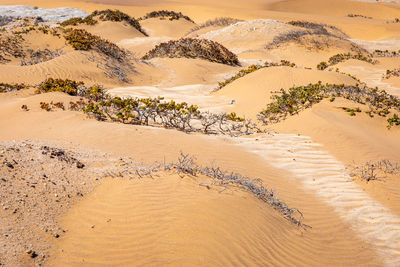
(105, 15)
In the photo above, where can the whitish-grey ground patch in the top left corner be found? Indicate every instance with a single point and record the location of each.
(48, 15)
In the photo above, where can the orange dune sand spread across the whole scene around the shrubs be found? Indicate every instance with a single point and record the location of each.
(124, 218)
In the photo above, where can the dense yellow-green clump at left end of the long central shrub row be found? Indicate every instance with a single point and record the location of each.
(59, 85)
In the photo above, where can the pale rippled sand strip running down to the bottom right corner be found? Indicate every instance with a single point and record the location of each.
(328, 178)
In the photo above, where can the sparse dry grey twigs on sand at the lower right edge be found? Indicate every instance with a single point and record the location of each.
(371, 170)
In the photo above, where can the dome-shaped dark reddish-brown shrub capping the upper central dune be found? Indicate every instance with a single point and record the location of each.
(194, 48)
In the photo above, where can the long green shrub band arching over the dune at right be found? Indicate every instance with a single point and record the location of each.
(296, 99)
